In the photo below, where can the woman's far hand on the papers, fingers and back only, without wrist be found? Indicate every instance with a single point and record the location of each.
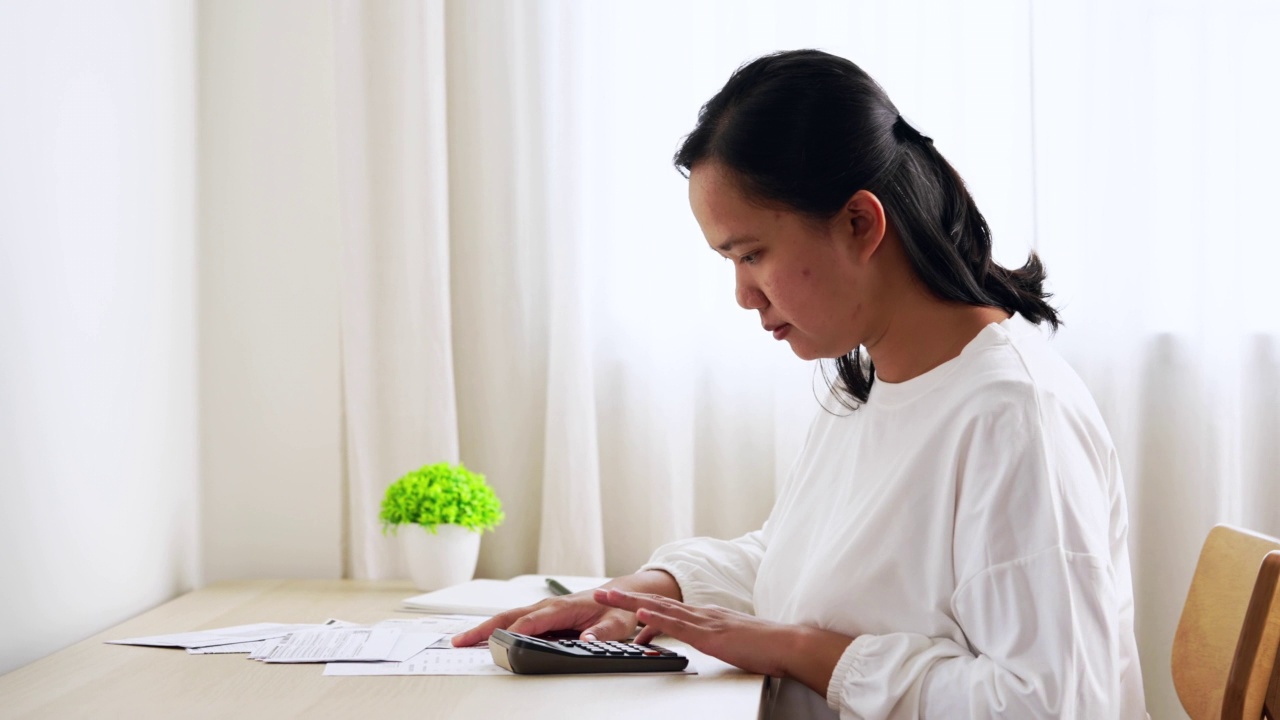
(578, 612)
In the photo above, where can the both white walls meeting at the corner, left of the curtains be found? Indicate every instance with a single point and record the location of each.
(156, 436)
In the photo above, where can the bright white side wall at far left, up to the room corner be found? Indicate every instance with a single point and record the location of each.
(98, 347)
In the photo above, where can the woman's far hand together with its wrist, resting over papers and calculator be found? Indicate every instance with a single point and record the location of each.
(578, 612)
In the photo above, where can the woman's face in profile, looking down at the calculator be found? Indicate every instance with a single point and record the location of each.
(807, 280)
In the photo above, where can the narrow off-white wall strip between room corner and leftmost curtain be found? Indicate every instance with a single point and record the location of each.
(269, 376)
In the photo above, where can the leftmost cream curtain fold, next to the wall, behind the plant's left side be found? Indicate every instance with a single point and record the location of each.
(397, 341)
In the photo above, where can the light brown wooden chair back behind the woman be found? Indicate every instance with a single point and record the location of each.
(1224, 660)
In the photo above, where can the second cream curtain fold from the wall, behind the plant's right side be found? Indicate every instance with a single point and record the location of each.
(499, 216)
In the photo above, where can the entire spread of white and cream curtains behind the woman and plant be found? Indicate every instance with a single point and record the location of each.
(527, 290)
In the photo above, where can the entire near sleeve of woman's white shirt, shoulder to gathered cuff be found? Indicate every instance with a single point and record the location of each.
(1036, 596)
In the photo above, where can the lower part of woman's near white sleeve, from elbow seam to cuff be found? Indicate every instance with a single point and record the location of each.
(1040, 632)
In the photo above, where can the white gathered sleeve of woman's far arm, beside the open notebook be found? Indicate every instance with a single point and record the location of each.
(714, 572)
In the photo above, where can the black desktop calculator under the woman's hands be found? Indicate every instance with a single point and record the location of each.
(528, 655)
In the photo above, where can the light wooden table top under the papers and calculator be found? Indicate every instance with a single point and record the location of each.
(92, 680)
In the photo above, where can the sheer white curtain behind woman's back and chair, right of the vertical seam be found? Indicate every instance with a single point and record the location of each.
(1156, 186)
